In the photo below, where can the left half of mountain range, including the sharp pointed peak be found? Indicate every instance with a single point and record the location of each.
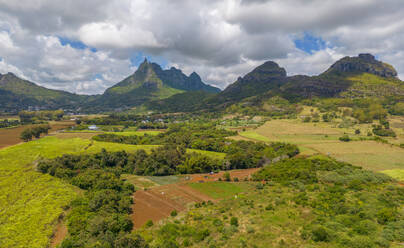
(149, 83)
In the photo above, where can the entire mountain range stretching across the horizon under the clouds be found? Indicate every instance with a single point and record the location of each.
(172, 91)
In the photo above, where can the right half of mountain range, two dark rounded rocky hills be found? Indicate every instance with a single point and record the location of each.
(268, 85)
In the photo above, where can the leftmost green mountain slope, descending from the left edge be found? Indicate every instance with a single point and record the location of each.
(17, 94)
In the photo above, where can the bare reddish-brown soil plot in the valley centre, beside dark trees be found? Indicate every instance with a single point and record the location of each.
(157, 203)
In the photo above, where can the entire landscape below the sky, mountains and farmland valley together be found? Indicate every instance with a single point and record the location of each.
(271, 161)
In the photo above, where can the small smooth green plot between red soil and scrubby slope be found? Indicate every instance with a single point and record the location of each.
(220, 190)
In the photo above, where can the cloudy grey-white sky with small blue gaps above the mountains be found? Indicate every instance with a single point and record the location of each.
(87, 46)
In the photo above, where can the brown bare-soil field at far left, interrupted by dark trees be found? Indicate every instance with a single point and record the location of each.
(11, 136)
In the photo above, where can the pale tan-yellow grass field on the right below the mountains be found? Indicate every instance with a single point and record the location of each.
(323, 138)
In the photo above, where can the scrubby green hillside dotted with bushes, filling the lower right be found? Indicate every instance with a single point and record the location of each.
(314, 202)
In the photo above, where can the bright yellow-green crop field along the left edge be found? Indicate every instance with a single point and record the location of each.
(31, 202)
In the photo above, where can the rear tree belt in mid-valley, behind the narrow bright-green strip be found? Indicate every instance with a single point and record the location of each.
(240, 154)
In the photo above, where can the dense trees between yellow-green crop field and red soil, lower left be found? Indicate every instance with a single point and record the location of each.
(101, 216)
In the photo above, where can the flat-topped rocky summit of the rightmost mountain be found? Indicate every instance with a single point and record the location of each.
(363, 63)
